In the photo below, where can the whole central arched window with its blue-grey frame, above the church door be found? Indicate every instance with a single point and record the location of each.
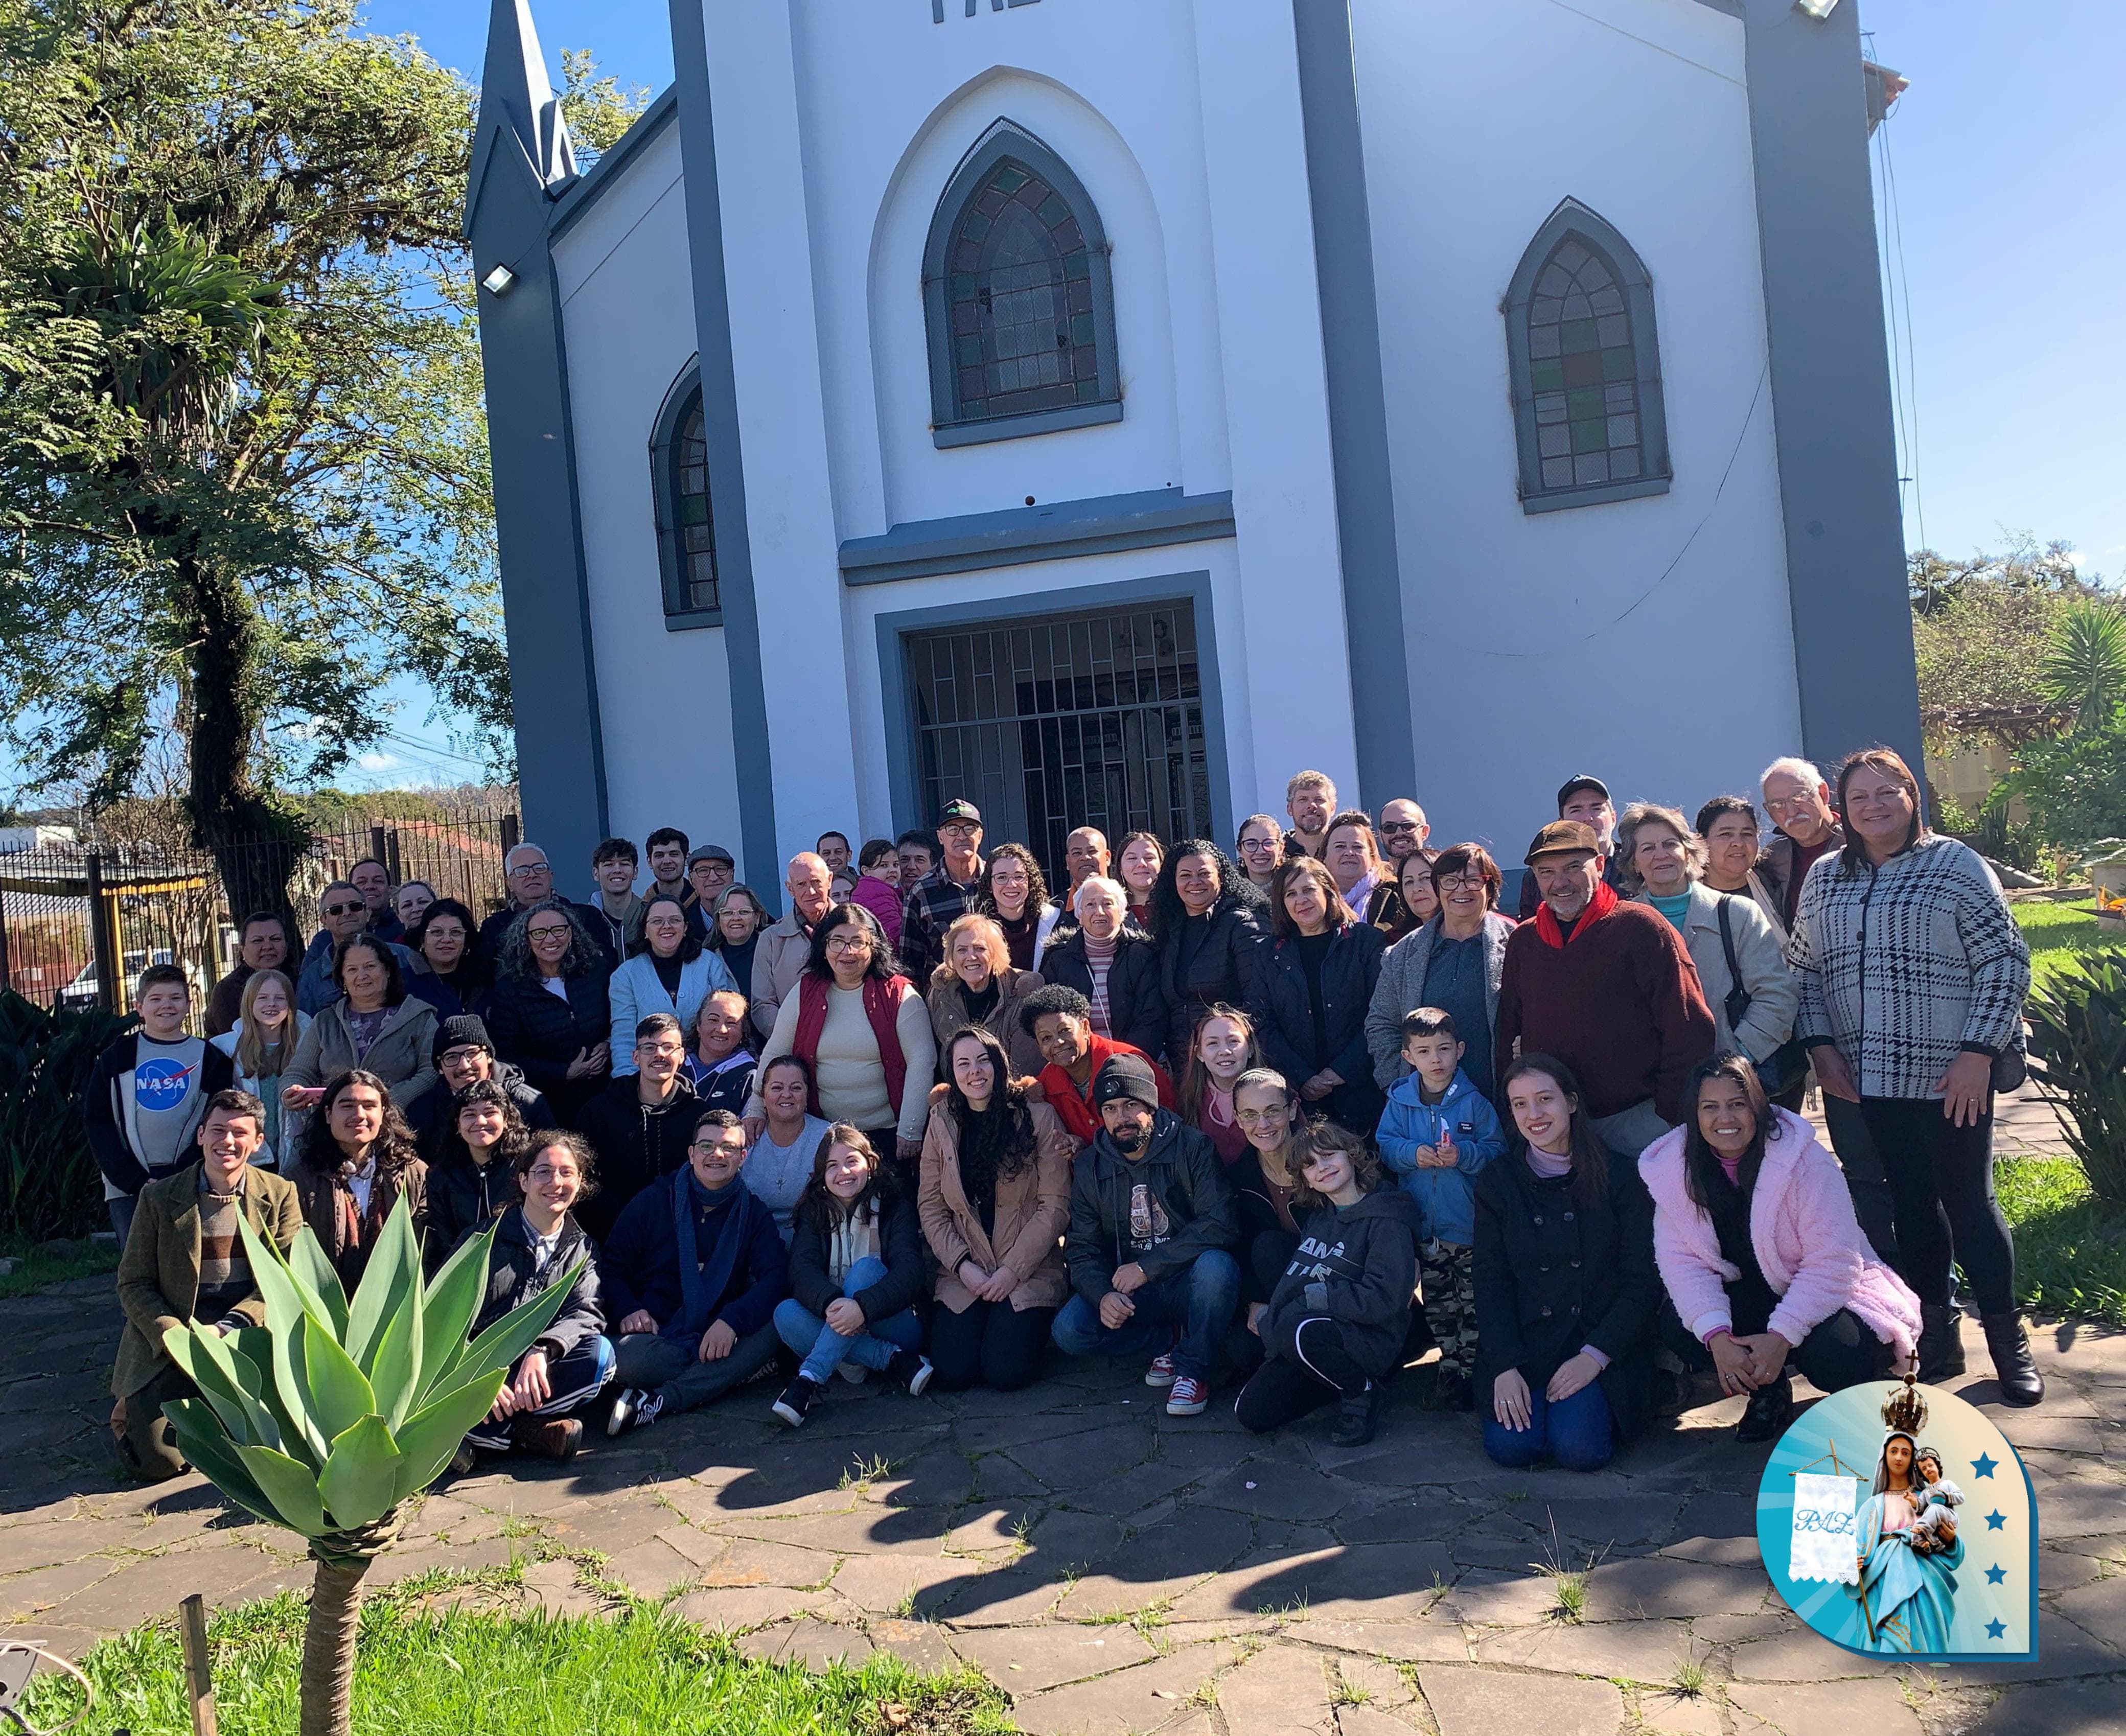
(1019, 299)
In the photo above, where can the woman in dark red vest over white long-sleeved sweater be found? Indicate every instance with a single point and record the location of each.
(864, 1032)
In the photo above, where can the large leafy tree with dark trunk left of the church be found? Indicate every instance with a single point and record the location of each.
(243, 454)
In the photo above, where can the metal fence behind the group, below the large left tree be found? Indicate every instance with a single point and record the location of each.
(84, 915)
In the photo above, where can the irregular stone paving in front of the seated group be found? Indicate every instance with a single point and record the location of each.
(1121, 1571)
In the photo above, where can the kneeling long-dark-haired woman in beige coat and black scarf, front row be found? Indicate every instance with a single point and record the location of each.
(994, 1202)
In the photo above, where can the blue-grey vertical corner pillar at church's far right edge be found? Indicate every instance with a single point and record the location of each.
(1832, 384)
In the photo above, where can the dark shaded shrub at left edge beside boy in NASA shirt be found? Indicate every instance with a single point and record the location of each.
(46, 1059)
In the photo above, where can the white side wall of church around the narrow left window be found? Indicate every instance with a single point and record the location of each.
(628, 318)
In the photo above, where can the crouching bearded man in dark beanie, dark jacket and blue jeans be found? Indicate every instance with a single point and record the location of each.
(1151, 1233)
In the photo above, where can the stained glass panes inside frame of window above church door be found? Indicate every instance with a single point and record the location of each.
(1022, 301)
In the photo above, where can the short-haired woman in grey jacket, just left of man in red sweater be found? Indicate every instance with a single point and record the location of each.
(1453, 961)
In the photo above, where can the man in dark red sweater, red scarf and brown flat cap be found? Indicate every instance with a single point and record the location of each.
(1608, 989)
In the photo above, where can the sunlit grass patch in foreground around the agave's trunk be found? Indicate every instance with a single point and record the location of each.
(516, 1675)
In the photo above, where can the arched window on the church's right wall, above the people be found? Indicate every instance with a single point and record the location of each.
(1587, 369)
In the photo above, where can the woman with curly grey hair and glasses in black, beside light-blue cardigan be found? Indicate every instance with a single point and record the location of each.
(552, 1012)
